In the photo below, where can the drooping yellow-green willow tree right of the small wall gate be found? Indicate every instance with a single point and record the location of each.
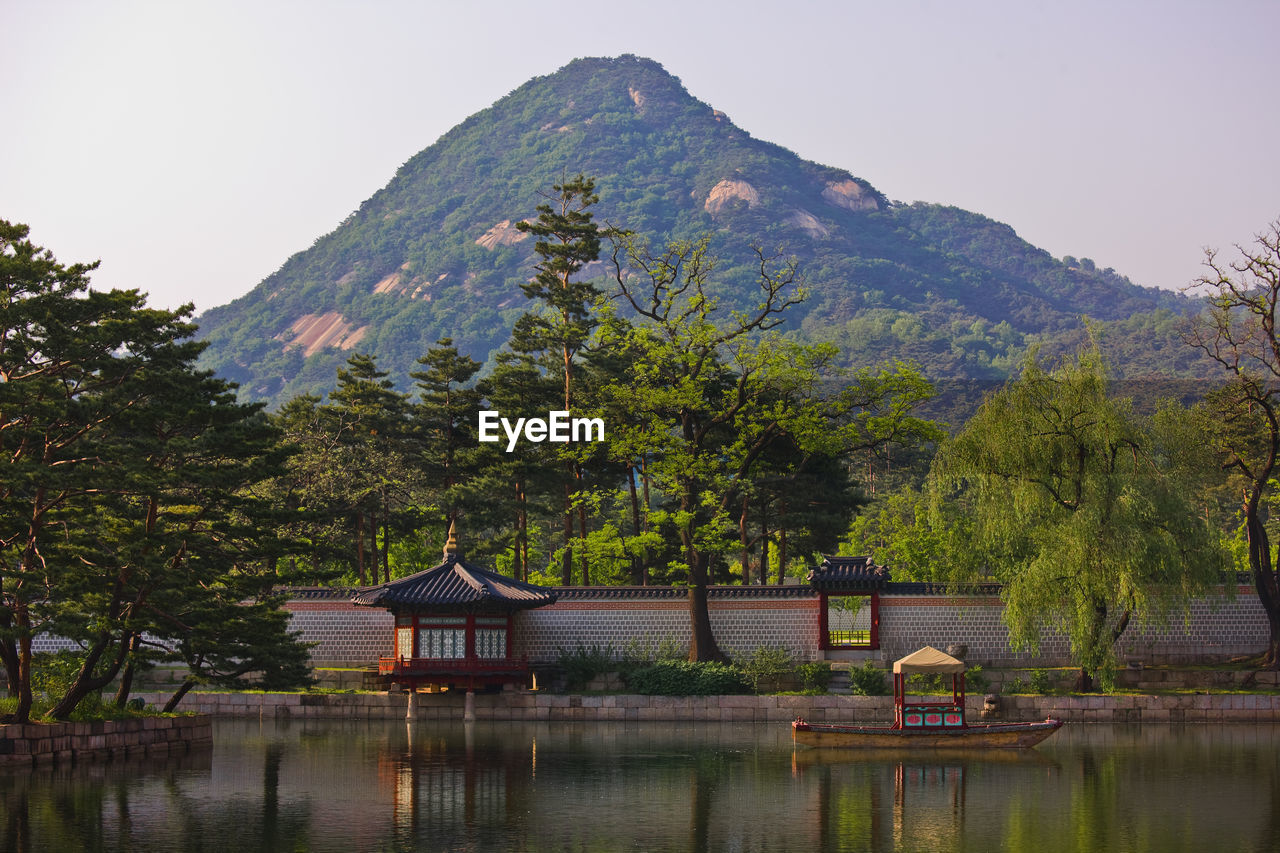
(1086, 526)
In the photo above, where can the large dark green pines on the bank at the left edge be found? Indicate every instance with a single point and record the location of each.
(129, 475)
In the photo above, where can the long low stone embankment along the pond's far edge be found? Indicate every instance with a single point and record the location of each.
(536, 708)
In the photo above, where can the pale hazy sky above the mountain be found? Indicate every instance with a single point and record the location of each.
(195, 147)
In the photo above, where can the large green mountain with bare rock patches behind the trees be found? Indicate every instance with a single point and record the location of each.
(436, 253)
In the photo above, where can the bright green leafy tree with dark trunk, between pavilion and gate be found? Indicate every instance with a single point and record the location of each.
(710, 396)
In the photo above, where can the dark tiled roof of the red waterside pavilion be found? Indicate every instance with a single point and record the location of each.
(456, 583)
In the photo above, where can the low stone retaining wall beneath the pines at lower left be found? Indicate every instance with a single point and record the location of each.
(60, 742)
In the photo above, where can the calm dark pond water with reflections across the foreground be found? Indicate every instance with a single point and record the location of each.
(655, 787)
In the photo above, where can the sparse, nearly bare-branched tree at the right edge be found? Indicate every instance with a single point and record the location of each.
(1240, 334)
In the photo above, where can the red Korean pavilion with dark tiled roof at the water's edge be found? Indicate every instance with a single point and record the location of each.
(454, 624)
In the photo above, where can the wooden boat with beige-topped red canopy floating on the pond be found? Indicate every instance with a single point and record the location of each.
(929, 724)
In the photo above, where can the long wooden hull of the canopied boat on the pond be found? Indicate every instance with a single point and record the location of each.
(982, 736)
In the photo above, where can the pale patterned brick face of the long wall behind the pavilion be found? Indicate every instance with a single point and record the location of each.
(349, 636)
